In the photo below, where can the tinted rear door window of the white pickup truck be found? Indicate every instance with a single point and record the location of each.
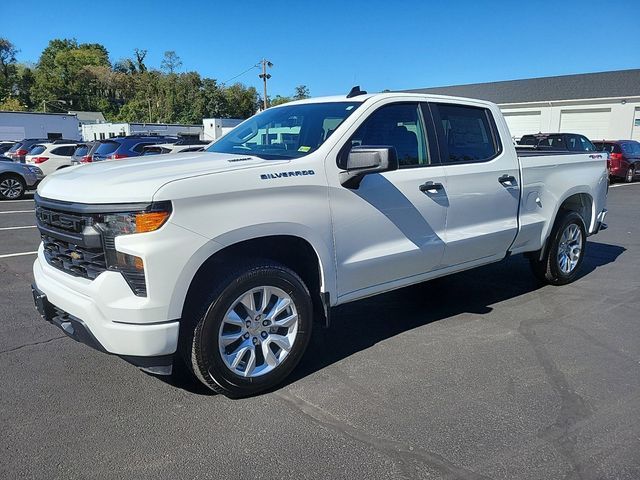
(466, 133)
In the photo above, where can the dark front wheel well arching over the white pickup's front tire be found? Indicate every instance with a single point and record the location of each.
(293, 252)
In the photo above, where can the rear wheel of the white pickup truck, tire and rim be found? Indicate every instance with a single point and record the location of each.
(564, 252)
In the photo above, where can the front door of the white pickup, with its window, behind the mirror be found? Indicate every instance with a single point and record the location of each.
(391, 226)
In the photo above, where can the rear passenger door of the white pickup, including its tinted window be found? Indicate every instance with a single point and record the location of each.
(482, 179)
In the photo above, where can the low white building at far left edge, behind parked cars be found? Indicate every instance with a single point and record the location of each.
(20, 125)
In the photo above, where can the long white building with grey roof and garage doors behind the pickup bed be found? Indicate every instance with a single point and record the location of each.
(604, 105)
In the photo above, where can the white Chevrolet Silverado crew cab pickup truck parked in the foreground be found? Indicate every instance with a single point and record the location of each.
(224, 259)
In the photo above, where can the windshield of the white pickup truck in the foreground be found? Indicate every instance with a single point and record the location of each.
(285, 132)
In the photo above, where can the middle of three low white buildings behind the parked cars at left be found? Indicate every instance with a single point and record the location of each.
(101, 131)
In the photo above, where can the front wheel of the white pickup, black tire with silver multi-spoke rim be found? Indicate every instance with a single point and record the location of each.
(244, 367)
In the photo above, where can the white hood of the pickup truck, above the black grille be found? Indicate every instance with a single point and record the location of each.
(138, 179)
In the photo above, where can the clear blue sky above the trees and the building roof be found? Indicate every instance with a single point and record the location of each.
(332, 45)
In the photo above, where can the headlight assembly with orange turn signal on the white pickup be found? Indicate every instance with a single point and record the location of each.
(126, 223)
